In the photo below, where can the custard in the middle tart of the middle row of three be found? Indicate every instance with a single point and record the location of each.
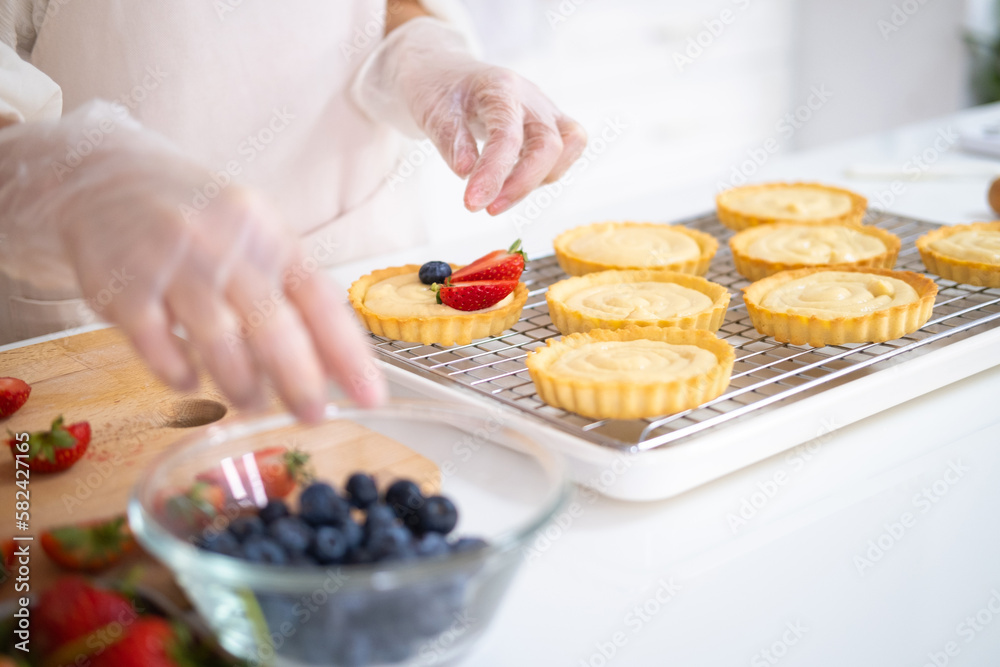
(638, 301)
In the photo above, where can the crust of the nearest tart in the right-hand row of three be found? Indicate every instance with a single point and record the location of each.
(876, 327)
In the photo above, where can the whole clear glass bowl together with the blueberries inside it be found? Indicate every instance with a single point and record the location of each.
(377, 537)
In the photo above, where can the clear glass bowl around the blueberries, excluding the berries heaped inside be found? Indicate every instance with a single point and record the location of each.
(414, 612)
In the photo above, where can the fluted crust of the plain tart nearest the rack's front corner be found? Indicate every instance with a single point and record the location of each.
(632, 399)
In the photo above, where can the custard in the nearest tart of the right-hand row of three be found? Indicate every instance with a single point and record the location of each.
(838, 293)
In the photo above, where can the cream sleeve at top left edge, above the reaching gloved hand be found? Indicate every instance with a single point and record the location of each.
(26, 93)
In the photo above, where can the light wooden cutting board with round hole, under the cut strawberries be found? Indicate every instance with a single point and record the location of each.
(97, 377)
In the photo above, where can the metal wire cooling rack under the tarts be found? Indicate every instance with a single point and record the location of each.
(767, 374)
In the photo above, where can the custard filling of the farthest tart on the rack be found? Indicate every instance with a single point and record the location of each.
(799, 202)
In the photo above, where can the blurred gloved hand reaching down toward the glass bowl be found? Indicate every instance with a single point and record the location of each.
(117, 204)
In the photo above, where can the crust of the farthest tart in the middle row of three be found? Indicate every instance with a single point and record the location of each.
(578, 265)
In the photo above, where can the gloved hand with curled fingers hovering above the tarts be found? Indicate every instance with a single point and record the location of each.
(423, 80)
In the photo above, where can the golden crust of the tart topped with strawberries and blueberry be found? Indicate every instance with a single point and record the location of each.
(460, 328)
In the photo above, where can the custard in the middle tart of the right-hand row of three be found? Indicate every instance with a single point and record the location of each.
(806, 244)
